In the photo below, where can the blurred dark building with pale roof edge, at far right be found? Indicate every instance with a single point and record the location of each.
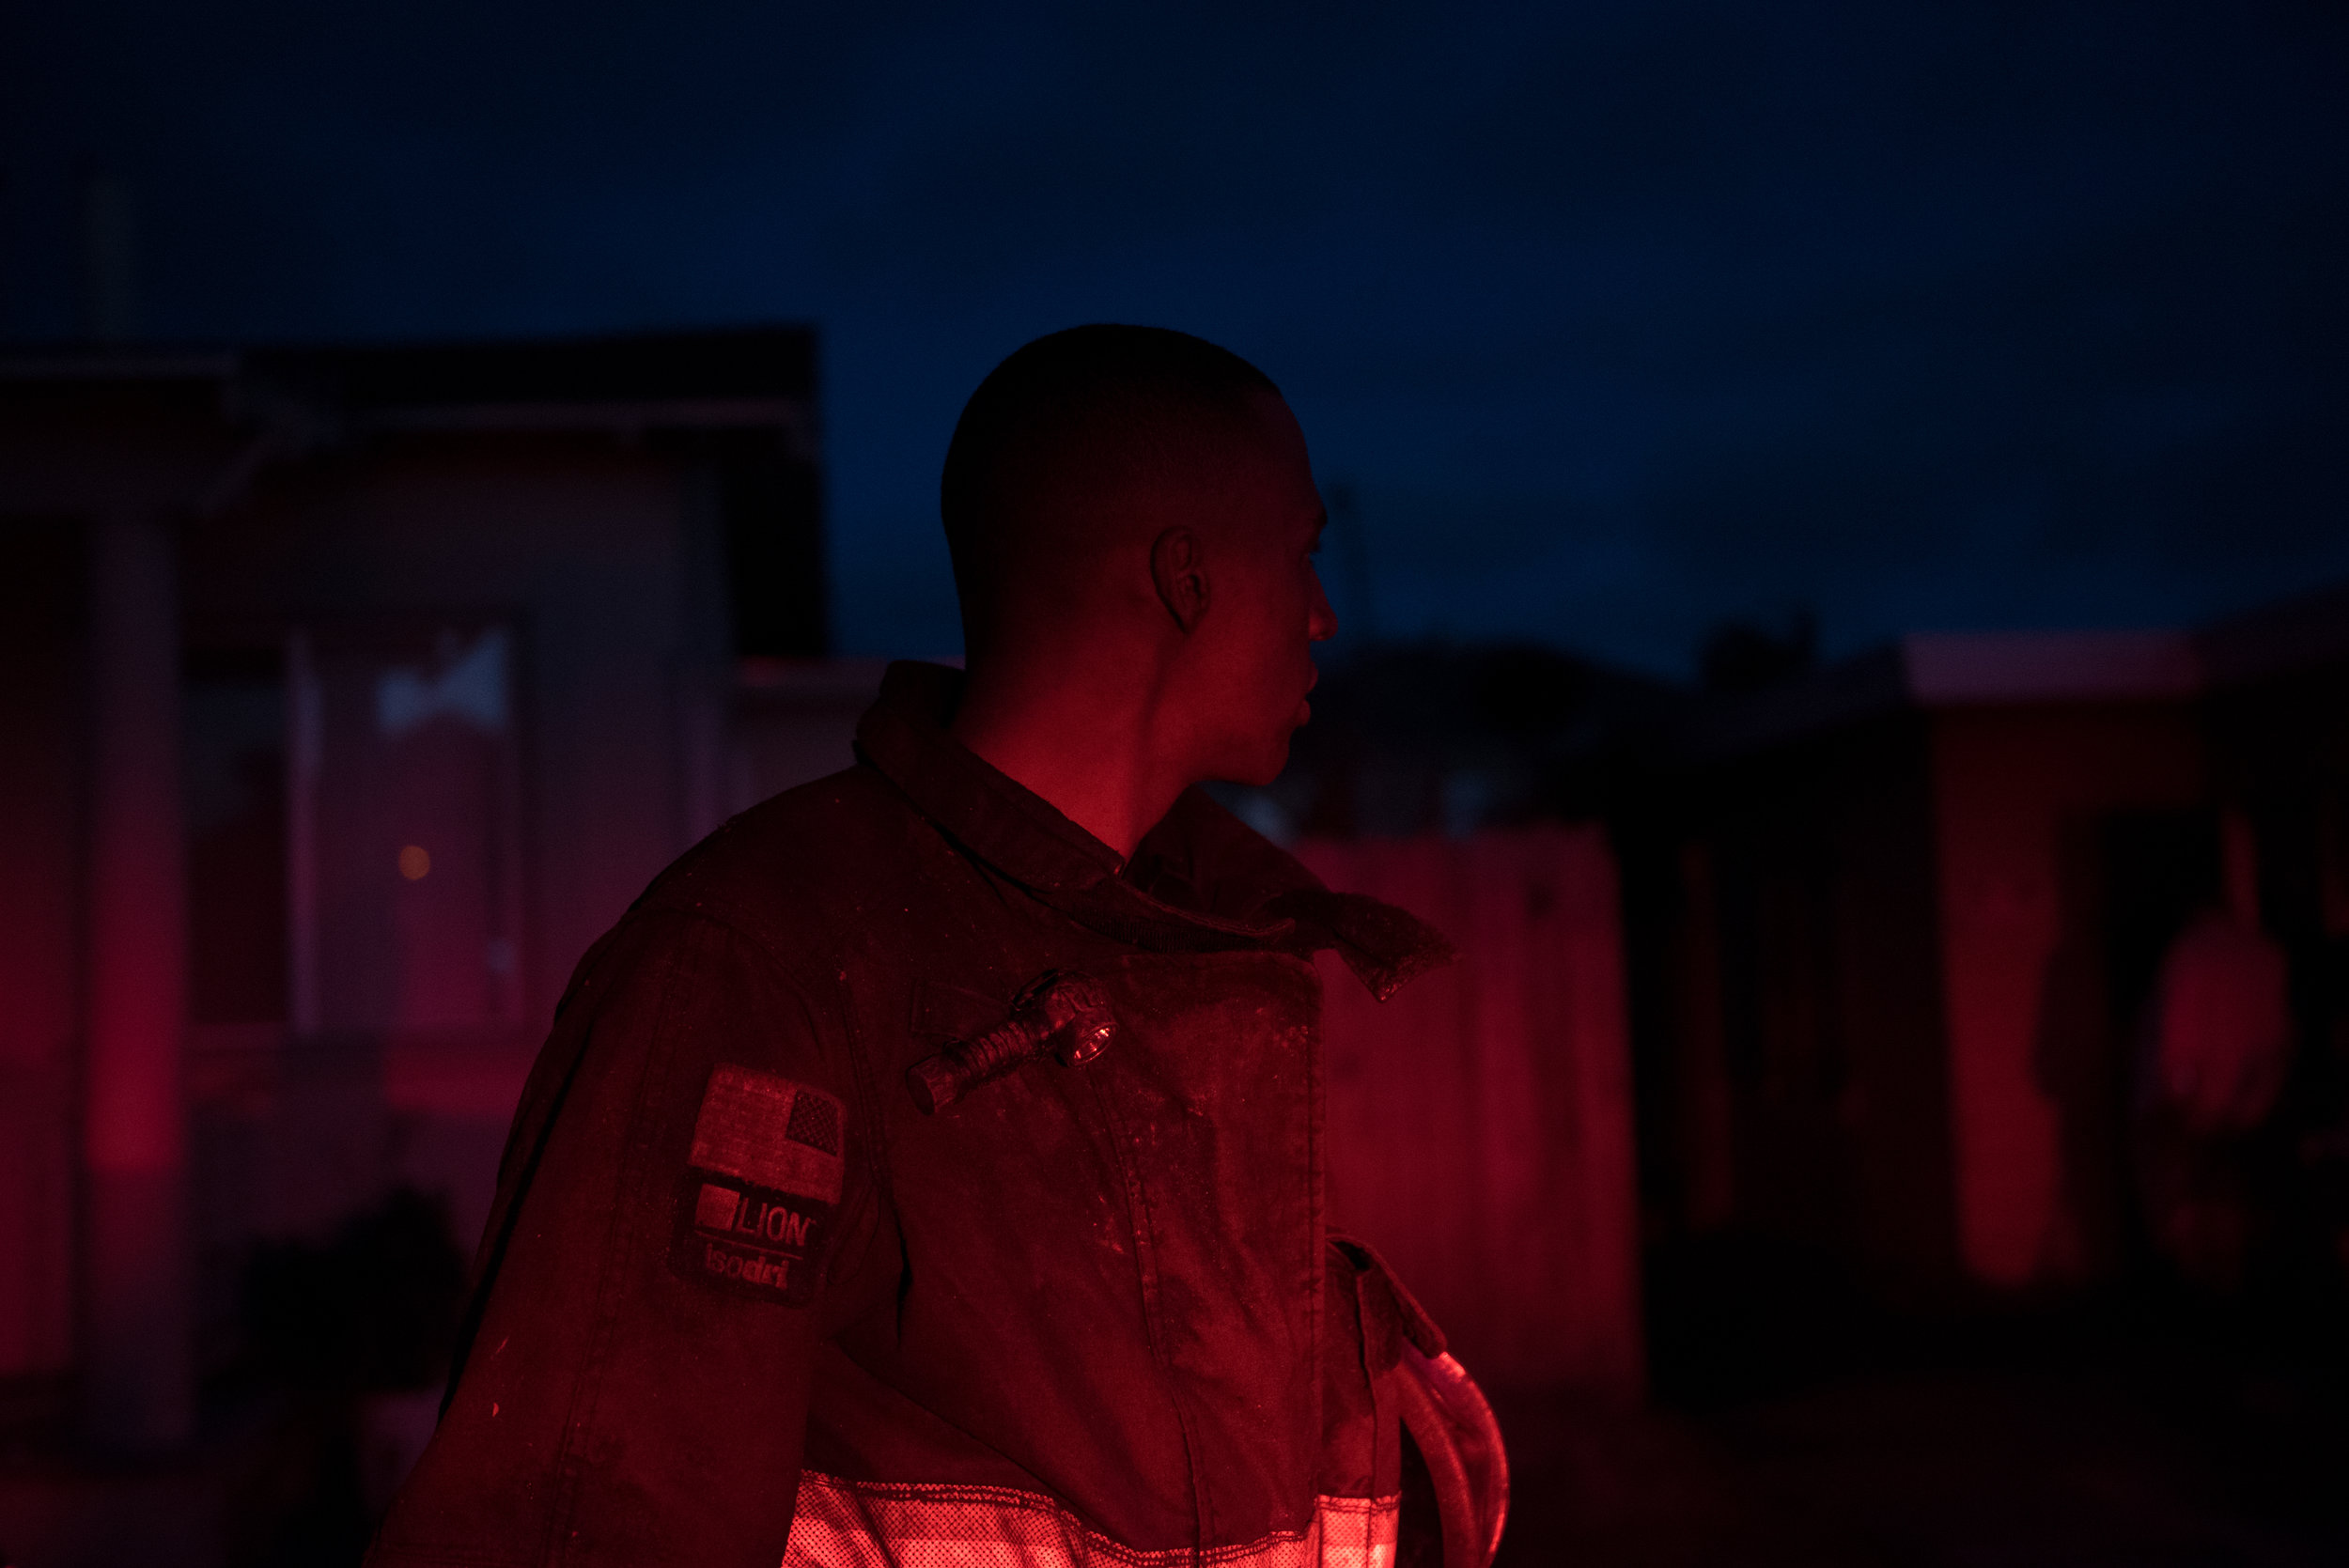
(1909, 931)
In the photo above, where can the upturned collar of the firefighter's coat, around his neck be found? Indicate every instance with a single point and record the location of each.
(1199, 881)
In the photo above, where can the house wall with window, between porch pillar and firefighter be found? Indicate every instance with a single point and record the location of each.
(579, 586)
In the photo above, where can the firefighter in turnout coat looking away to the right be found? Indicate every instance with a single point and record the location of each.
(929, 1168)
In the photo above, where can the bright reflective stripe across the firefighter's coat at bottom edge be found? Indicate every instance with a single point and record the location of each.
(882, 1525)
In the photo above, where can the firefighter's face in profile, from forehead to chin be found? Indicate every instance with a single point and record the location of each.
(1267, 609)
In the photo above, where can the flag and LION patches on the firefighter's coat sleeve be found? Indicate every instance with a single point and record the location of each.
(762, 1184)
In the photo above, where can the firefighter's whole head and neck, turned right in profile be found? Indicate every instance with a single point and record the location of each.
(1133, 525)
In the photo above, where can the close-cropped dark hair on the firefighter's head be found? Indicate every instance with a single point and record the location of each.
(1077, 450)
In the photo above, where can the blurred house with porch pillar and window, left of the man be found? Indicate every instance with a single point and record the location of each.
(346, 696)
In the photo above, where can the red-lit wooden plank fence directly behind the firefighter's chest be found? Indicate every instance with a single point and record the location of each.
(1481, 1121)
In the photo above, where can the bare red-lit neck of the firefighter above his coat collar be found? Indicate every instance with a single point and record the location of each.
(1082, 745)
